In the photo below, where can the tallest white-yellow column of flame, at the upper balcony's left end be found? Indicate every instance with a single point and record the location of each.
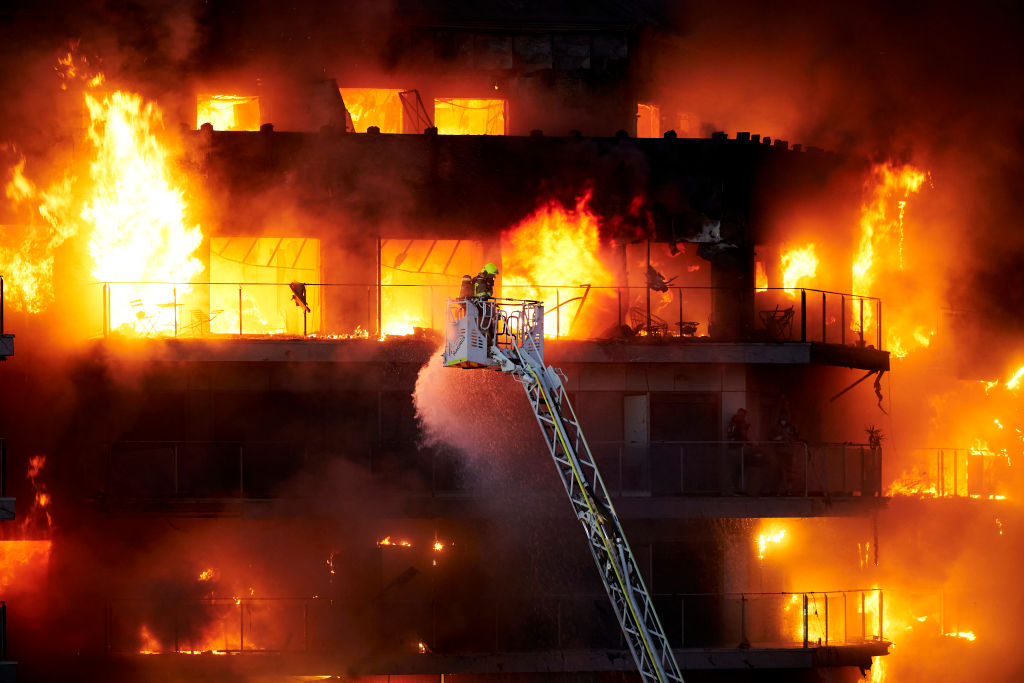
(138, 212)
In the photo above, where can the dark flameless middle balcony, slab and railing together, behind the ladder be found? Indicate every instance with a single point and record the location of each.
(668, 480)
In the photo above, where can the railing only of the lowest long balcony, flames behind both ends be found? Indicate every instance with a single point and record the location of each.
(489, 624)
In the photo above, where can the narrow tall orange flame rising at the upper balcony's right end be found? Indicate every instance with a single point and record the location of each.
(880, 220)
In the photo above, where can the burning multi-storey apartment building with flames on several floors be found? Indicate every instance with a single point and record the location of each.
(233, 274)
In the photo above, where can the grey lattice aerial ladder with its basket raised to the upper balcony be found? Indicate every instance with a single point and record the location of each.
(508, 335)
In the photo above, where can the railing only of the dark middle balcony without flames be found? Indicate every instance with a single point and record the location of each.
(255, 471)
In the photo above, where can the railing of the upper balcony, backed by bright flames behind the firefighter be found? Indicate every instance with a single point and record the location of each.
(252, 310)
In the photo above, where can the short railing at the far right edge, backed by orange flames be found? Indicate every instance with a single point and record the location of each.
(956, 474)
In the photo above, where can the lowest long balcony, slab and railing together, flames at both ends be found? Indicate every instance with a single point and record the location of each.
(430, 635)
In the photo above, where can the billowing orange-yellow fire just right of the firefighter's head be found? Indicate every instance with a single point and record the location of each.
(554, 247)
